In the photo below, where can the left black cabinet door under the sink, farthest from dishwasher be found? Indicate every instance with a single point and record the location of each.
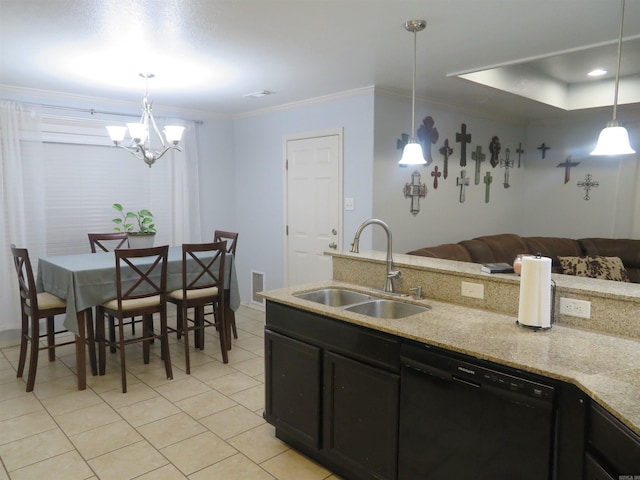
(293, 387)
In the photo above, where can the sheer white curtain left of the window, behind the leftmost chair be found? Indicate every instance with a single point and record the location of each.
(21, 199)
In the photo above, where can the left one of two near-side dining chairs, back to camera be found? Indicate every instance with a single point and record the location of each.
(141, 285)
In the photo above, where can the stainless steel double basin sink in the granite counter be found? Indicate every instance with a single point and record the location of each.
(362, 303)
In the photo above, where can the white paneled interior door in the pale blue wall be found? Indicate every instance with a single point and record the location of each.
(314, 214)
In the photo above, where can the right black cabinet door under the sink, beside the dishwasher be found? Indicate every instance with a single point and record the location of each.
(361, 417)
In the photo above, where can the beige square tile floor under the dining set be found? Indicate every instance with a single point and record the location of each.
(207, 425)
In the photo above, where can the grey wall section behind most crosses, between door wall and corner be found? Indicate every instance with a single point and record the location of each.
(442, 218)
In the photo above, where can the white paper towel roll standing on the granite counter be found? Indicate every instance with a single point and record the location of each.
(534, 309)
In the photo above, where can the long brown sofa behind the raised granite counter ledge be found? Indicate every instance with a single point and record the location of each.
(504, 248)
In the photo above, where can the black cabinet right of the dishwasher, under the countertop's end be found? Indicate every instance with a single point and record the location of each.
(613, 449)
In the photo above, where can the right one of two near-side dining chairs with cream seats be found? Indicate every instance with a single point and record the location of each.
(202, 285)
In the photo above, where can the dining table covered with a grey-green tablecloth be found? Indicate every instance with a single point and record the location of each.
(89, 279)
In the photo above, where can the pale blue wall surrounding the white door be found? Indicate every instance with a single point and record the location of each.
(259, 177)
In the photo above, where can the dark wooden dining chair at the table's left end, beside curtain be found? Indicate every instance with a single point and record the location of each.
(33, 307)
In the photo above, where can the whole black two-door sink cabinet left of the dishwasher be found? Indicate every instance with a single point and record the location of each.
(332, 391)
